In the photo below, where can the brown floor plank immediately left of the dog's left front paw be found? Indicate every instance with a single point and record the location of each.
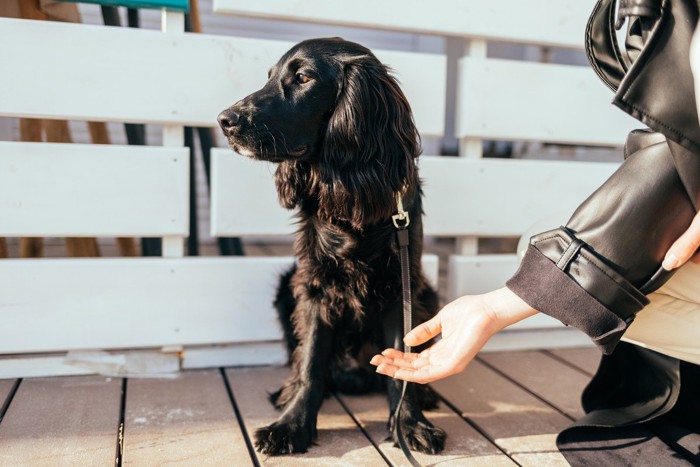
(182, 421)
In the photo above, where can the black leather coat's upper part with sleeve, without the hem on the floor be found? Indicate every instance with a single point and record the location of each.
(593, 273)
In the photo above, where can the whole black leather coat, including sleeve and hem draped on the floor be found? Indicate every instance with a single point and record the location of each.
(594, 272)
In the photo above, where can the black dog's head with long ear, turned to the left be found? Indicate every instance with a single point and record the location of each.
(338, 124)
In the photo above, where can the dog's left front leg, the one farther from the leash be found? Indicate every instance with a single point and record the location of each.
(303, 392)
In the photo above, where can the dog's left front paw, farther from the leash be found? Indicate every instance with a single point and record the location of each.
(284, 438)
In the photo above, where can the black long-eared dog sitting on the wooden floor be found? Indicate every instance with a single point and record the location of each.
(344, 137)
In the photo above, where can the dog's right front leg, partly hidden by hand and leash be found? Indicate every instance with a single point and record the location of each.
(420, 433)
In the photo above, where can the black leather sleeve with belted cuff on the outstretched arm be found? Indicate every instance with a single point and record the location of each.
(593, 273)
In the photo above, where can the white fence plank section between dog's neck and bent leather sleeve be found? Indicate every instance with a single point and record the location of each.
(501, 198)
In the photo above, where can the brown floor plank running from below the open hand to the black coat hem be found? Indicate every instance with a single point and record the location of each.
(518, 422)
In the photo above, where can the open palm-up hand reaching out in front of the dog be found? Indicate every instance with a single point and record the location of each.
(466, 325)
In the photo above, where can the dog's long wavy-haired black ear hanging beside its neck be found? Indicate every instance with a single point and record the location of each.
(370, 146)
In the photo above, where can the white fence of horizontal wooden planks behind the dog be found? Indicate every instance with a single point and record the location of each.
(218, 311)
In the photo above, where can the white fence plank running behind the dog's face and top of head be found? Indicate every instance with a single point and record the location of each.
(155, 91)
